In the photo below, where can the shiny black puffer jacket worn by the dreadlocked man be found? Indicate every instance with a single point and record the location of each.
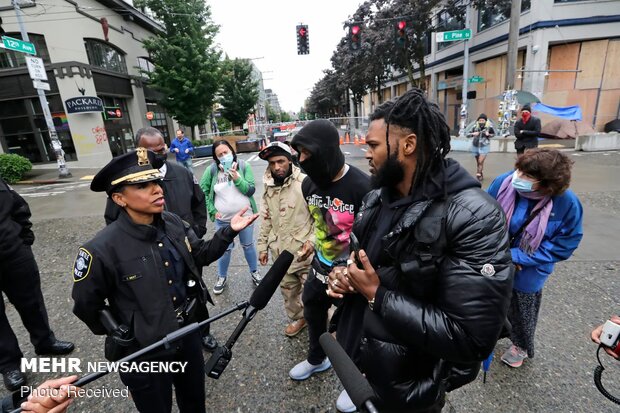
(424, 324)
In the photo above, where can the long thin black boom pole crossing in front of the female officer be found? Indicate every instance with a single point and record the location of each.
(166, 342)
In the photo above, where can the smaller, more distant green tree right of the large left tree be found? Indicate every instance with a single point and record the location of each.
(239, 91)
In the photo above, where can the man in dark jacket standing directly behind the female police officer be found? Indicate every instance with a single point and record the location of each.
(182, 194)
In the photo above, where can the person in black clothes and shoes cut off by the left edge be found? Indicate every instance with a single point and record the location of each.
(21, 283)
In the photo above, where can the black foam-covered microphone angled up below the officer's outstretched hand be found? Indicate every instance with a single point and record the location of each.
(214, 367)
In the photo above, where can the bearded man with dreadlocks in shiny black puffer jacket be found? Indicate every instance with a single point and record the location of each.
(431, 299)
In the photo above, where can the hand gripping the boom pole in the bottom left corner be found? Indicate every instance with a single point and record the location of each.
(44, 400)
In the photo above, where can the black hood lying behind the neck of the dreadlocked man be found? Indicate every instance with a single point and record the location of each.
(456, 180)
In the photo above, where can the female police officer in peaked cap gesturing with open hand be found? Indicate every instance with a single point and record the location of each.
(142, 265)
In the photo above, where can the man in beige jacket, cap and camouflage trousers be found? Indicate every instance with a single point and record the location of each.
(286, 224)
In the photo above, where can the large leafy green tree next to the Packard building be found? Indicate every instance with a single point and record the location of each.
(185, 59)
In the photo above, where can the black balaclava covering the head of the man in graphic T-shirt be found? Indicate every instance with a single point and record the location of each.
(320, 137)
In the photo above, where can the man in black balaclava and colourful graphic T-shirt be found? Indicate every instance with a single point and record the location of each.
(334, 191)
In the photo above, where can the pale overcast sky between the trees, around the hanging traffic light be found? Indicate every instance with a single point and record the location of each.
(266, 28)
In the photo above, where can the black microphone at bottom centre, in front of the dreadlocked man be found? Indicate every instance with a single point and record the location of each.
(354, 382)
